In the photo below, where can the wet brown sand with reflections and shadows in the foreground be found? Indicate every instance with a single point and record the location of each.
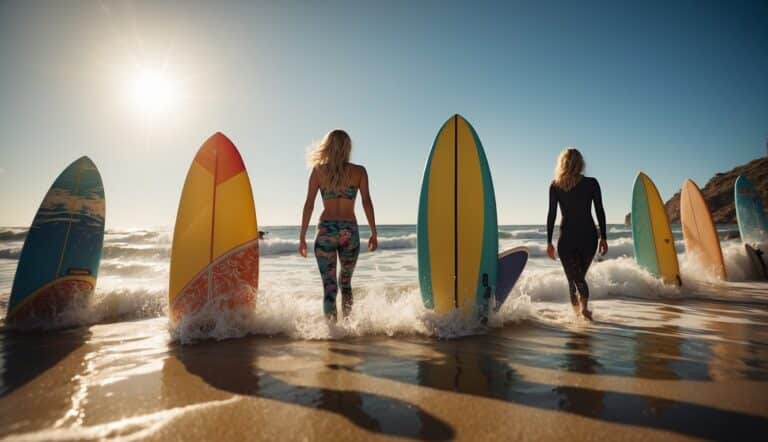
(682, 370)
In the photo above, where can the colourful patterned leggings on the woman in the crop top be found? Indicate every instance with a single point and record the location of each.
(343, 239)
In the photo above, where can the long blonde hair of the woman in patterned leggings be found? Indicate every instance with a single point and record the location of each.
(330, 158)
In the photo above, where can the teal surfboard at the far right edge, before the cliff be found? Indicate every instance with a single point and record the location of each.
(750, 214)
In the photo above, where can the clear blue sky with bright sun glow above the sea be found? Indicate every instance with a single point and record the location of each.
(675, 89)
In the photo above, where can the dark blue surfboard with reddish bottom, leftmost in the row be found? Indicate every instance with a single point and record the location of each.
(59, 262)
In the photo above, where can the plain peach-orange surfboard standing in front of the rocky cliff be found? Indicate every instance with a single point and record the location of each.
(699, 233)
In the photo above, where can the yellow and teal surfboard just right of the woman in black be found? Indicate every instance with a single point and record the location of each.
(652, 237)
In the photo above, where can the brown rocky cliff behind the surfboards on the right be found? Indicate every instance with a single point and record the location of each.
(719, 192)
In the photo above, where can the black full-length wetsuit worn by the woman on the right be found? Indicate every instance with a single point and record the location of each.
(577, 243)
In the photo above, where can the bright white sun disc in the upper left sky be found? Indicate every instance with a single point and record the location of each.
(153, 91)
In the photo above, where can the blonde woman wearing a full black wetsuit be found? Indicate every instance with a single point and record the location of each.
(577, 242)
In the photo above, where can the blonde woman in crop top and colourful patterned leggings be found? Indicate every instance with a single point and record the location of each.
(338, 181)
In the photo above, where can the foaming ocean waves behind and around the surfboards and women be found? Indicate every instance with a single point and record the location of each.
(133, 280)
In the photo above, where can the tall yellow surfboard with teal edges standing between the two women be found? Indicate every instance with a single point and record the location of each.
(457, 228)
